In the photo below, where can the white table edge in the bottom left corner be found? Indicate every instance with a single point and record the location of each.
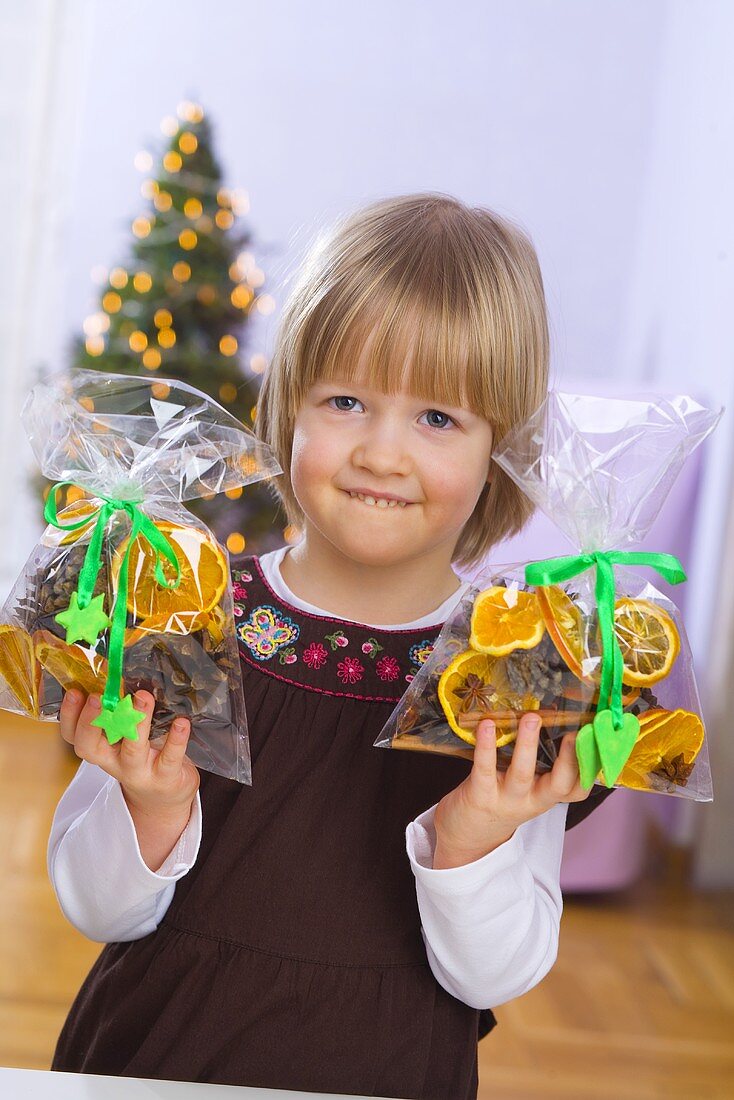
(45, 1085)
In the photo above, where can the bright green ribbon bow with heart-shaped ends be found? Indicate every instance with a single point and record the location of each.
(606, 744)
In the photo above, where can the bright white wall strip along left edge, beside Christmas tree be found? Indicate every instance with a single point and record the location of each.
(43, 56)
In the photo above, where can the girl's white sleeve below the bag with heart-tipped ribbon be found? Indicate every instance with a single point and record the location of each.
(491, 927)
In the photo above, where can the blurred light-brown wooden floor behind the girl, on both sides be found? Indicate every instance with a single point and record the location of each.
(640, 1004)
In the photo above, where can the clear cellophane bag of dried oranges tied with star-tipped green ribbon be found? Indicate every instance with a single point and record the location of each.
(127, 590)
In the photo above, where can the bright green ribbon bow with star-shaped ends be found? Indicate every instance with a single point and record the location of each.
(86, 619)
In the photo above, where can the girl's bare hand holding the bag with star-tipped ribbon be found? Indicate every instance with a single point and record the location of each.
(157, 784)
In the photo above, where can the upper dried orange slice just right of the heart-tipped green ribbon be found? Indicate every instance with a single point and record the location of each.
(649, 641)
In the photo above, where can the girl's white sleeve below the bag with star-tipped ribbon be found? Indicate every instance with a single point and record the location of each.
(102, 882)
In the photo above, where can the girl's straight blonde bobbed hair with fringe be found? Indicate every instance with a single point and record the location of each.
(451, 301)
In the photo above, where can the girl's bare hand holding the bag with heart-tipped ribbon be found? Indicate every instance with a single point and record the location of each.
(485, 811)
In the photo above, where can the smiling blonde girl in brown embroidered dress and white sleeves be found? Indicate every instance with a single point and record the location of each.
(346, 923)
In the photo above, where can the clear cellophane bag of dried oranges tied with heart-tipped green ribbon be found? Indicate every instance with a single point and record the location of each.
(584, 641)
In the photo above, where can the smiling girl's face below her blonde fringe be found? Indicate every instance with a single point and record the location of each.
(352, 438)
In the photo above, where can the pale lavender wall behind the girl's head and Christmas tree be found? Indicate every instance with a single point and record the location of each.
(543, 111)
